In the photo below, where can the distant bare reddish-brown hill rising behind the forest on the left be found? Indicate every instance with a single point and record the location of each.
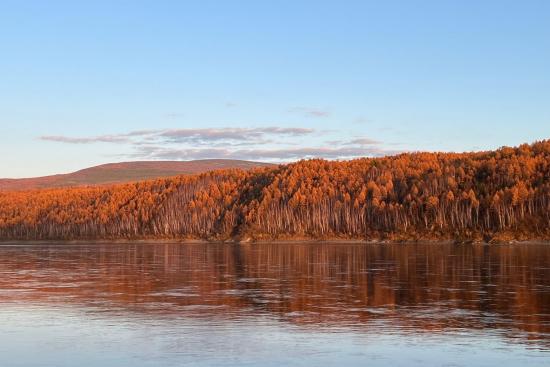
(125, 172)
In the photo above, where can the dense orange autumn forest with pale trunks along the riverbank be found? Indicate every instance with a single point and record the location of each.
(502, 194)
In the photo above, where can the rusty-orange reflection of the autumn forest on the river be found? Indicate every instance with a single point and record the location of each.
(502, 291)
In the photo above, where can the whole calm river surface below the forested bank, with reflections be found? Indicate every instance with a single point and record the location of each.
(274, 305)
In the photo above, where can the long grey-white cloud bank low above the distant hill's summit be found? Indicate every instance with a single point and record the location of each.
(271, 143)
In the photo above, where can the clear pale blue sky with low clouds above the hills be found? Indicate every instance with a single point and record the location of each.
(90, 82)
